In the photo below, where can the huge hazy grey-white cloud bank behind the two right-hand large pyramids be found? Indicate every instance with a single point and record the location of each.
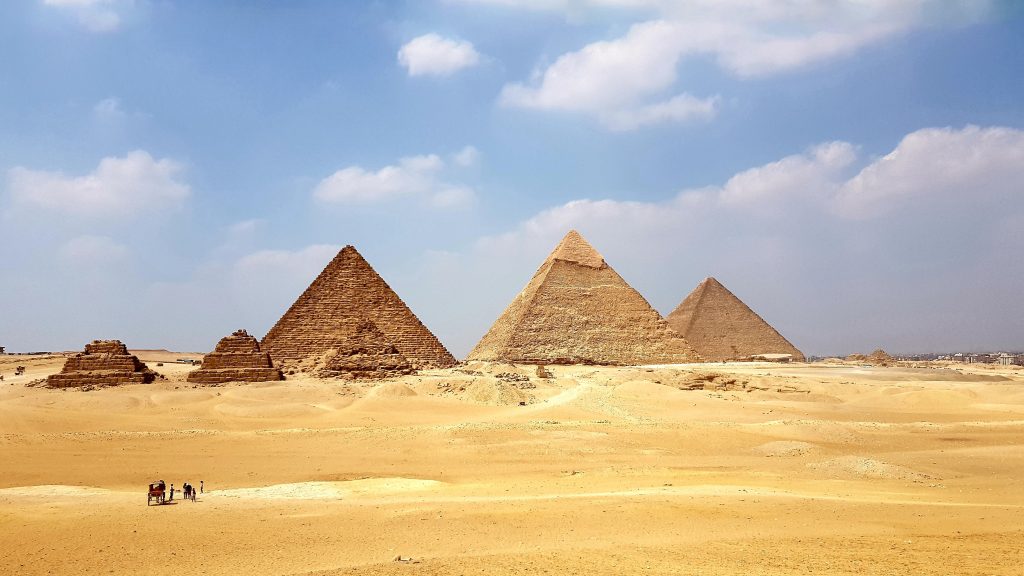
(837, 249)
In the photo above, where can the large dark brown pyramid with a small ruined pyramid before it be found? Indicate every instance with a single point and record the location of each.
(348, 291)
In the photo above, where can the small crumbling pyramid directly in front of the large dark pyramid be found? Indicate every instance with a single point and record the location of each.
(360, 350)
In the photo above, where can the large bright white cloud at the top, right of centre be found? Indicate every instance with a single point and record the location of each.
(624, 81)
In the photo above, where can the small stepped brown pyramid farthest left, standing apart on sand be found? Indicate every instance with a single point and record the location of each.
(105, 363)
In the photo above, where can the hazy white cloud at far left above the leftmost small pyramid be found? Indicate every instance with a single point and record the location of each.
(118, 187)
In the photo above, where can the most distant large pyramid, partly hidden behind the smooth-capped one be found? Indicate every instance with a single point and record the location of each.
(721, 327)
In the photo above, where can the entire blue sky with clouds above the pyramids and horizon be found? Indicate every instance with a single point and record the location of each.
(174, 171)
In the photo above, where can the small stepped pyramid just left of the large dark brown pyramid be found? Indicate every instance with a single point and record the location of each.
(237, 358)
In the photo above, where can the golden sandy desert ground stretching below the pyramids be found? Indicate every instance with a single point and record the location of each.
(818, 469)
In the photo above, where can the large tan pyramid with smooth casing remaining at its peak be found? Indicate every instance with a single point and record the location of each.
(577, 310)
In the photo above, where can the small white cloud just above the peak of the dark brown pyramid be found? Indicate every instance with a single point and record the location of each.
(412, 177)
